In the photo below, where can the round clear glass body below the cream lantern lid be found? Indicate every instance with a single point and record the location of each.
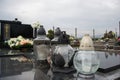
(86, 62)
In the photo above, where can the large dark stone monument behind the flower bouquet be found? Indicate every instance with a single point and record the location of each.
(10, 29)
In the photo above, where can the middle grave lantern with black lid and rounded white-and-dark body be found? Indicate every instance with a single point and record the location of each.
(63, 52)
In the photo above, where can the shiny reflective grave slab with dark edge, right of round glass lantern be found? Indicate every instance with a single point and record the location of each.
(108, 61)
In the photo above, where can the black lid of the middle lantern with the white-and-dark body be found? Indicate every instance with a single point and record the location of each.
(63, 39)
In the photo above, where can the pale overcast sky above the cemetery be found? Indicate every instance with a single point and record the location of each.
(66, 14)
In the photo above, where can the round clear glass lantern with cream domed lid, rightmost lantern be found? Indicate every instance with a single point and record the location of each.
(86, 60)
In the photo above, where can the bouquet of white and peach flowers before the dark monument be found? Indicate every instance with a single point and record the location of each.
(19, 42)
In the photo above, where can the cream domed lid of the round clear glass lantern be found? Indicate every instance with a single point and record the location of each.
(86, 43)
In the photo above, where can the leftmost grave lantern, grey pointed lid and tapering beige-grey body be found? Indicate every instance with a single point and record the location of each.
(41, 44)
